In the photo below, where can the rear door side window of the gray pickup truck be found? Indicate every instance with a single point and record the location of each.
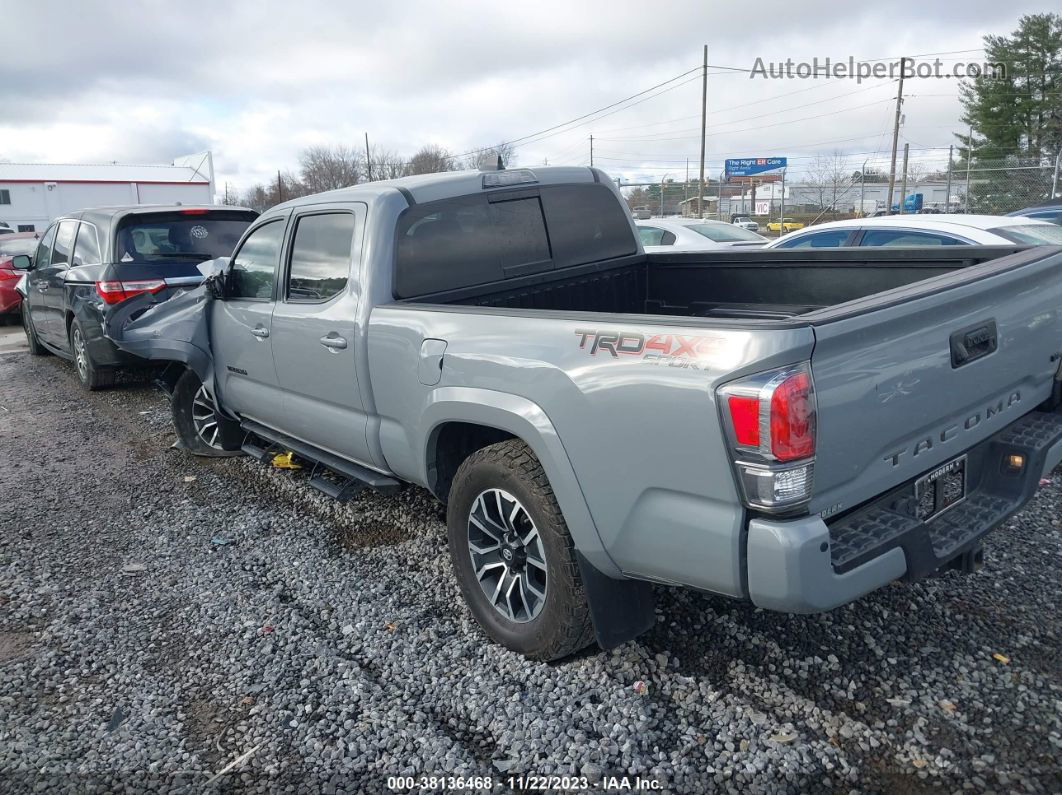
(320, 257)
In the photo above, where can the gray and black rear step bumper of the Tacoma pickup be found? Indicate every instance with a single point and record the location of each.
(807, 566)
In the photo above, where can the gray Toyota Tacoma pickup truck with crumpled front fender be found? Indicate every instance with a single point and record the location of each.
(796, 428)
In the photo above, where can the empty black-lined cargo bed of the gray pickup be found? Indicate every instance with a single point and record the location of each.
(756, 285)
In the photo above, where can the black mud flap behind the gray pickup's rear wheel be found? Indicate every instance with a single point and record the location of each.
(621, 610)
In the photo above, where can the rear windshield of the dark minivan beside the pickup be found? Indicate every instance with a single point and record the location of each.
(190, 236)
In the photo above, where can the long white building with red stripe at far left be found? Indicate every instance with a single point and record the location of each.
(32, 195)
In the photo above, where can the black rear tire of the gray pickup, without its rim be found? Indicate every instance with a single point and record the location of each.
(563, 625)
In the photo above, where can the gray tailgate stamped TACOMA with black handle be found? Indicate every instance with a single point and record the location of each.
(910, 379)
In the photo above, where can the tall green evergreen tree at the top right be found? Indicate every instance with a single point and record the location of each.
(1016, 118)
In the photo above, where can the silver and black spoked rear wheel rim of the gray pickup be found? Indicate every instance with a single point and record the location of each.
(507, 556)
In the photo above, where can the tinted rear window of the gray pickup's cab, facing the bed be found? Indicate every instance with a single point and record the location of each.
(486, 238)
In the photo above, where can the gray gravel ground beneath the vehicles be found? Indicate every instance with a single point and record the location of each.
(162, 616)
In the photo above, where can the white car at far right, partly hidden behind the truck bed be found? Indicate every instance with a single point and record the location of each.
(914, 232)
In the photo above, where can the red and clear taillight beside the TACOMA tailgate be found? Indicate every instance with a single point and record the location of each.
(770, 421)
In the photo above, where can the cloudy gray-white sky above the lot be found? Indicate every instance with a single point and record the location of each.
(258, 82)
